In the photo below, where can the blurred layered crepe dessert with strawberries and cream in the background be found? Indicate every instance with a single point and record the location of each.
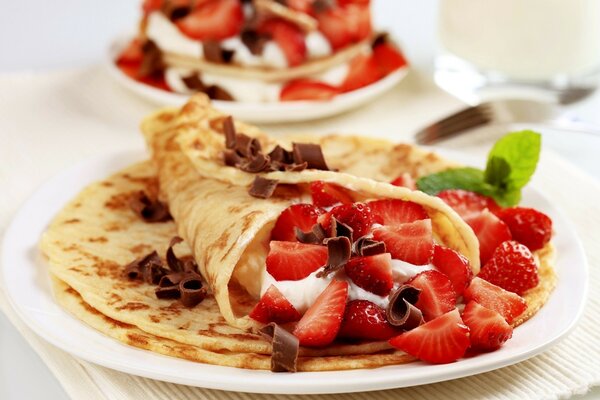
(259, 50)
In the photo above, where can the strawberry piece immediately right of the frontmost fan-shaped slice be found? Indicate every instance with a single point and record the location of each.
(488, 329)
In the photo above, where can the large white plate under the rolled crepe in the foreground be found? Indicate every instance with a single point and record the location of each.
(27, 285)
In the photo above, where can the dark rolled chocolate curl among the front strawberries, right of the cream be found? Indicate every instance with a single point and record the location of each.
(401, 311)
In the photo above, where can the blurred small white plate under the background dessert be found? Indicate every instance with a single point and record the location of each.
(258, 112)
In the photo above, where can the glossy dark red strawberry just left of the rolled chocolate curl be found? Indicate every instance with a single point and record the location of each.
(365, 320)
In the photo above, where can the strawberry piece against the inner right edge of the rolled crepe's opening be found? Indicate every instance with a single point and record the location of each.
(454, 265)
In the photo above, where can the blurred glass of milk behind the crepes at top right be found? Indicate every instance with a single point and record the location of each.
(518, 48)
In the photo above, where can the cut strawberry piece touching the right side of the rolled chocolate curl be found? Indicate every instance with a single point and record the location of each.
(437, 295)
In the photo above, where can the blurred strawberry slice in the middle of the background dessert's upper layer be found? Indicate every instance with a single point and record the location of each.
(289, 37)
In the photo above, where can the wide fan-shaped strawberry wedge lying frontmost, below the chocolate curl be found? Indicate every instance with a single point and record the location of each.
(442, 340)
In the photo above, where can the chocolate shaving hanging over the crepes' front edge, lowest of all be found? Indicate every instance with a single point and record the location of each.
(286, 347)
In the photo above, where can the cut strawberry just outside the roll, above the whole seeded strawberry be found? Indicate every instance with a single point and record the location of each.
(490, 231)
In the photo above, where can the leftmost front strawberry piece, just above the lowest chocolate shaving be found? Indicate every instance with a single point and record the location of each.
(274, 307)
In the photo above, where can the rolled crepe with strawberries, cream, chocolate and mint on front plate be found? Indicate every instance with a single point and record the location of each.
(229, 247)
